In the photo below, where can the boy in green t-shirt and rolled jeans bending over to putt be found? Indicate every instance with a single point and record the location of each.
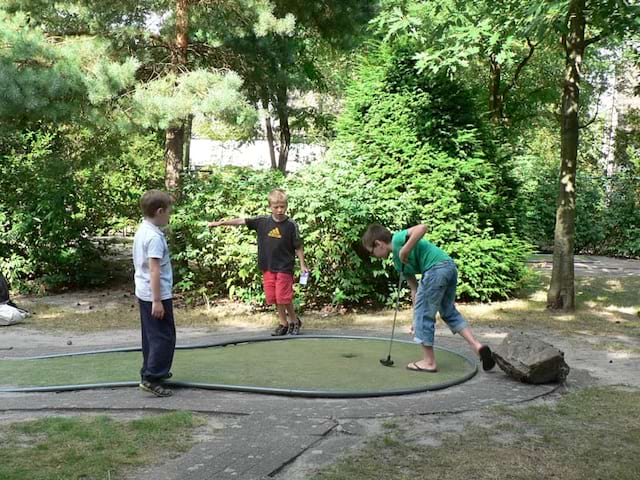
(436, 292)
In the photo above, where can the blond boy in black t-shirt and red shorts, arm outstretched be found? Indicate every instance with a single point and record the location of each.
(278, 244)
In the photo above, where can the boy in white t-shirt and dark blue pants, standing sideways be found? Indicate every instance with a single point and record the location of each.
(154, 281)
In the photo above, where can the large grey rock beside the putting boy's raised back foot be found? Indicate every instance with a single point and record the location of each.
(530, 360)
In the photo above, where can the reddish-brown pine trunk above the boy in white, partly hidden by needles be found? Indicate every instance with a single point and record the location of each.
(174, 135)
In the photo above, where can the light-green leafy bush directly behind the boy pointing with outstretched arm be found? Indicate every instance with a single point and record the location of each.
(329, 205)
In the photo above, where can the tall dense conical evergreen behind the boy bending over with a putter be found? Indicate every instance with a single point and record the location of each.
(433, 161)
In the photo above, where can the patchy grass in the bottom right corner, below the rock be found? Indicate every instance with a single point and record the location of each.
(592, 433)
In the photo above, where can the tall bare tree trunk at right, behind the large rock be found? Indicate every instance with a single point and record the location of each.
(561, 293)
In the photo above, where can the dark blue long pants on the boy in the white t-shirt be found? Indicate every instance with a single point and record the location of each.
(158, 341)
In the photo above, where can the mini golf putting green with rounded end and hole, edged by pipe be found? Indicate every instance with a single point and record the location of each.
(316, 366)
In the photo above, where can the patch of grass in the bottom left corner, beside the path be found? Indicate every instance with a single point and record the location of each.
(68, 448)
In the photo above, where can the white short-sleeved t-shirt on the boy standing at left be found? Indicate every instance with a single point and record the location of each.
(150, 242)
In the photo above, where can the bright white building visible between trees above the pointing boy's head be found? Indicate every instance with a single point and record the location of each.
(204, 153)
